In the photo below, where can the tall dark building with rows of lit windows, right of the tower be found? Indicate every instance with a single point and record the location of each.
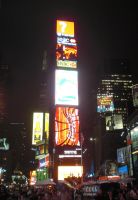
(114, 104)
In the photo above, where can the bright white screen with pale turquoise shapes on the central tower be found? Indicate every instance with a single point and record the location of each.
(66, 87)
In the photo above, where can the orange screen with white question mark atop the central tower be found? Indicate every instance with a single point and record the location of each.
(65, 28)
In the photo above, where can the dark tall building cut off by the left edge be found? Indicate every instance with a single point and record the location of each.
(5, 155)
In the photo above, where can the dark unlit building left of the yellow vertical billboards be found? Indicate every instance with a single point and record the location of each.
(20, 141)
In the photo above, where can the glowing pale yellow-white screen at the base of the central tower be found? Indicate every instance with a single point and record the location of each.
(66, 171)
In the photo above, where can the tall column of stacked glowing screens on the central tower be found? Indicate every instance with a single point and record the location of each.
(66, 95)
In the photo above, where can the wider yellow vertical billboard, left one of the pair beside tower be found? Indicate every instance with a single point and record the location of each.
(37, 127)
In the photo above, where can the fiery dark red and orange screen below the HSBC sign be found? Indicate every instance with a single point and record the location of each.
(66, 52)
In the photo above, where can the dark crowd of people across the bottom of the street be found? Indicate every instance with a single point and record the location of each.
(62, 192)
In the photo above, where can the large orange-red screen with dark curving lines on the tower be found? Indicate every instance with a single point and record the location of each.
(66, 126)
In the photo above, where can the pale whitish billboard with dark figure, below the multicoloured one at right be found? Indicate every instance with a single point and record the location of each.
(114, 122)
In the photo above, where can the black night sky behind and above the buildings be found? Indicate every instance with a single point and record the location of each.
(104, 30)
